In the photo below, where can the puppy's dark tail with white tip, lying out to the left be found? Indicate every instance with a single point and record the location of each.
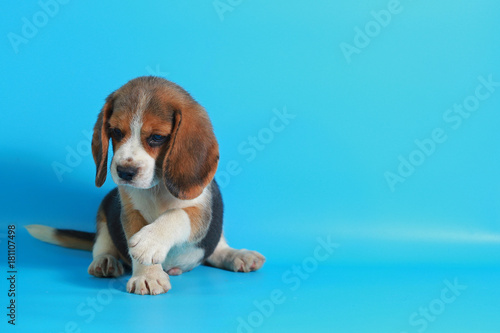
(72, 239)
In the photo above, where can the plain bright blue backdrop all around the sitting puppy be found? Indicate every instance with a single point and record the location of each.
(321, 176)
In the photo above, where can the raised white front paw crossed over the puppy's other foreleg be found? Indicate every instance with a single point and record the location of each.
(147, 246)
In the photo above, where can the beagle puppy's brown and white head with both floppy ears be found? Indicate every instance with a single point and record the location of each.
(159, 134)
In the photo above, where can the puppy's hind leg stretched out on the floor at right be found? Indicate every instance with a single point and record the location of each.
(230, 259)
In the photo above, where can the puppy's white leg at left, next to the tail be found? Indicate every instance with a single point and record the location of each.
(104, 252)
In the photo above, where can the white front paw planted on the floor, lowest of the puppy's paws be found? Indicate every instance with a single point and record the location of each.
(150, 283)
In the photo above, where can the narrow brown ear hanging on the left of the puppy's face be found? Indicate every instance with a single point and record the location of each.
(100, 142)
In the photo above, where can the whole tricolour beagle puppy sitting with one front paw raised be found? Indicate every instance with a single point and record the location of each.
(165, 216)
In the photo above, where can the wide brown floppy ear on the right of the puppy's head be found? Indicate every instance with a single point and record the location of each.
(192, 157)
